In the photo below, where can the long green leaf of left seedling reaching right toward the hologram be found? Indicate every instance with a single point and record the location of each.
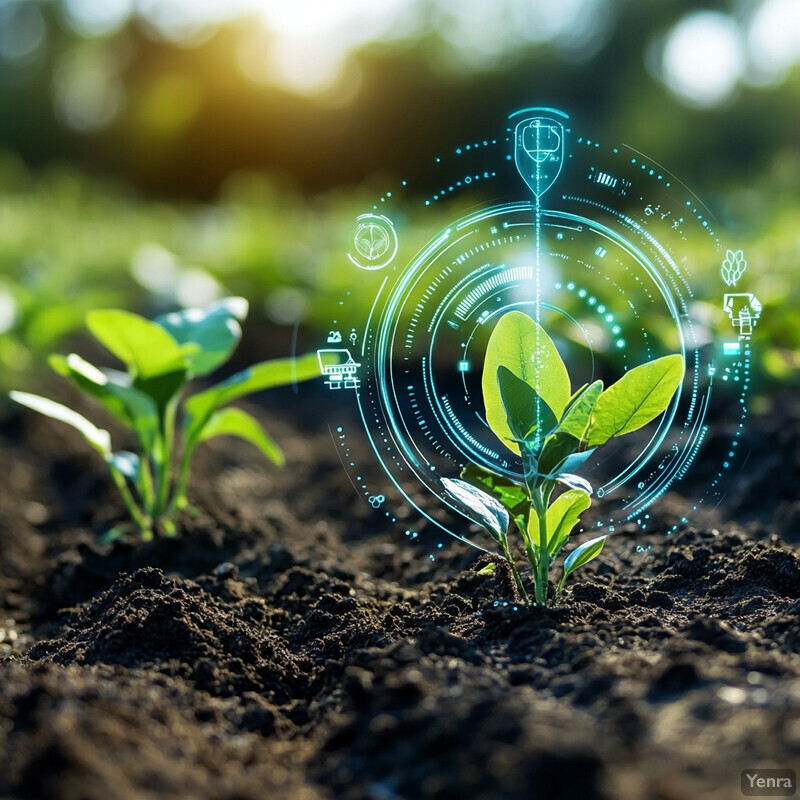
(265, 375)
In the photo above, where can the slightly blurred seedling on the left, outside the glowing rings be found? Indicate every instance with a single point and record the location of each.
(161, 357)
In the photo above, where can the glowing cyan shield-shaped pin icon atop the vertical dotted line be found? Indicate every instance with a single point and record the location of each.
(539, 152)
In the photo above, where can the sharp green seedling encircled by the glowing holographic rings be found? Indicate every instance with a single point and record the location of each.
(531, 408)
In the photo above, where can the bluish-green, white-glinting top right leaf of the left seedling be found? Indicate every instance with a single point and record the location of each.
(214, 329)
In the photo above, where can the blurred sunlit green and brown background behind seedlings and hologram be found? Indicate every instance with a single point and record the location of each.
(156, 153)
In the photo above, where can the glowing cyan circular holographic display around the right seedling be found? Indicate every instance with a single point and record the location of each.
(596, 242)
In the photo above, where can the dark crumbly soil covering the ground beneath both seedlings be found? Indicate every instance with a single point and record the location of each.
(291, 643)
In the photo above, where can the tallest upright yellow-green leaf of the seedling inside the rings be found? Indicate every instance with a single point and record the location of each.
(523, 347)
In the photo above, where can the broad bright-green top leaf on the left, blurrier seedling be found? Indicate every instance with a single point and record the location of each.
(146, 348)
